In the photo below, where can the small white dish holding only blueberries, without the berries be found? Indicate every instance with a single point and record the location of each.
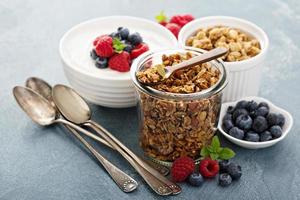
(257, 145)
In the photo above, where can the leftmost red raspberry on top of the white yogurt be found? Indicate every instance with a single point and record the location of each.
(104, 47)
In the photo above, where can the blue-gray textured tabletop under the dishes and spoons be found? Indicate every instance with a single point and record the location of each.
(47, 163)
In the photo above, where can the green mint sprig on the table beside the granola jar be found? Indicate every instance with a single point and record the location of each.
(215, 151)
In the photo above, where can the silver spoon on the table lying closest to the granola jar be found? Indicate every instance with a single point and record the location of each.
(75, 109)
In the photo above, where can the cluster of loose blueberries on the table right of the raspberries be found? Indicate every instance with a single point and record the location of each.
(229, 171)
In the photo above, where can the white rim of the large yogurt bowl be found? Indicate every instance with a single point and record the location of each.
(68, 64)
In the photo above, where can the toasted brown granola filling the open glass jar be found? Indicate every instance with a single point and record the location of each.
(175, 128)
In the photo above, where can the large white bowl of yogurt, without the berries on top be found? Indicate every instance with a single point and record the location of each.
(101, 86)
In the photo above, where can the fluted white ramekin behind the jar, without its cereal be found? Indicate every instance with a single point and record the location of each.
(244, 76)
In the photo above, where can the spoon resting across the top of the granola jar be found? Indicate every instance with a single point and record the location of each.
(199, 59)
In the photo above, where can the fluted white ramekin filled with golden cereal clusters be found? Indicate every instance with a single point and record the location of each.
(247, 44)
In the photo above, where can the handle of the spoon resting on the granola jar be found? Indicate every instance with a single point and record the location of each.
(205, 57)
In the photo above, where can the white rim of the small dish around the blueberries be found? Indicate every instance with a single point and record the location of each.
(256, 144)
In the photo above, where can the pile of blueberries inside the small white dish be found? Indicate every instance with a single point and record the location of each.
(253, 122)
